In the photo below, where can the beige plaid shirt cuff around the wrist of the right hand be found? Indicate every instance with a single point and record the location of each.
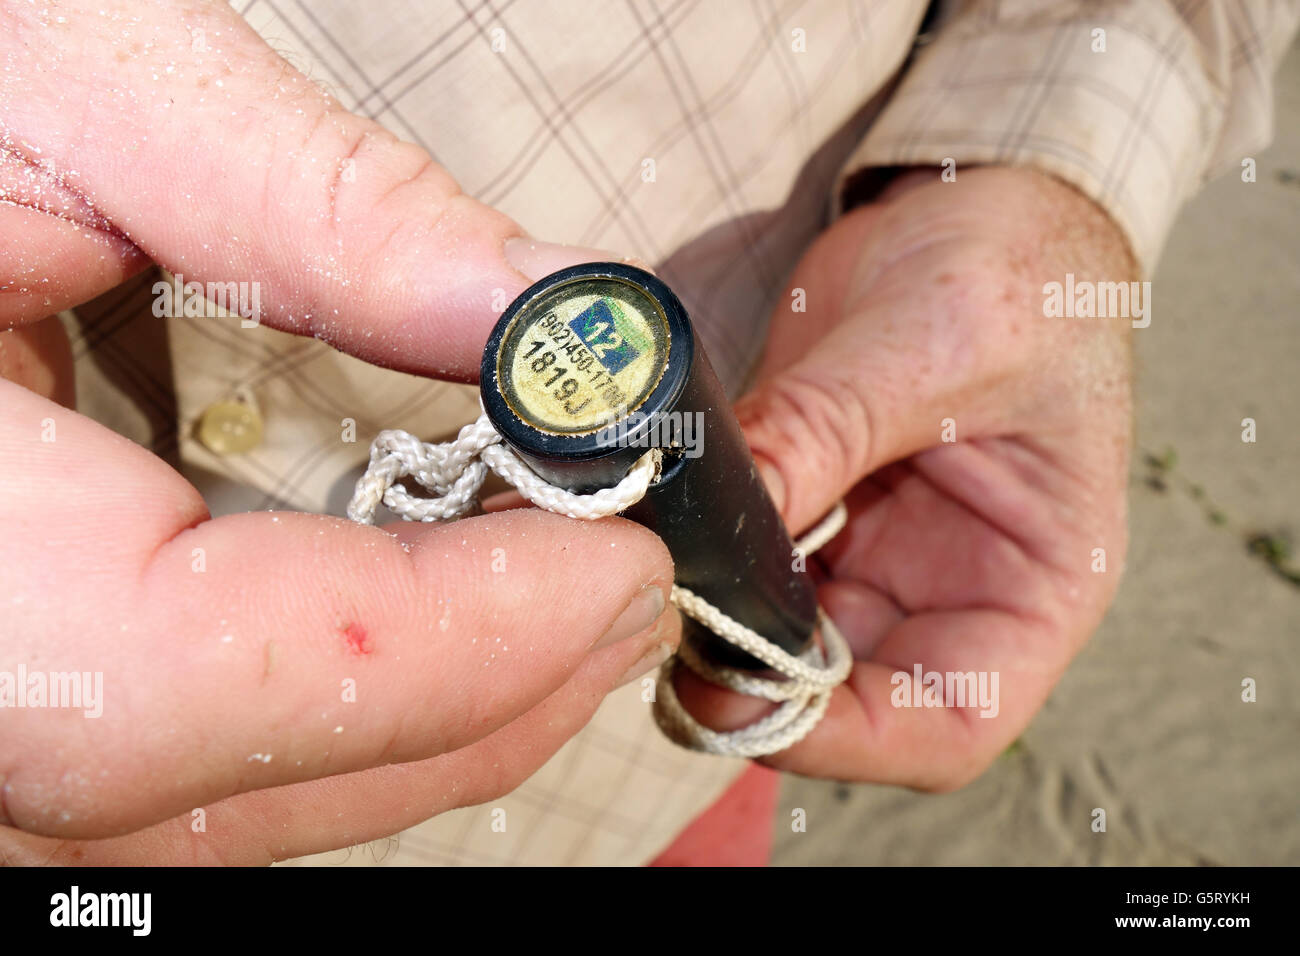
(1130, 127)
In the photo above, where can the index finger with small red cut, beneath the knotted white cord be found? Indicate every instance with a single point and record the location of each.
(262, 650)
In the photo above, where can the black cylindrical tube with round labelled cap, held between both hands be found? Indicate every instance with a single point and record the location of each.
(592, 367)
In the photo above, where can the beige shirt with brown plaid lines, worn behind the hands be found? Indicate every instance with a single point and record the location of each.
(710, 140)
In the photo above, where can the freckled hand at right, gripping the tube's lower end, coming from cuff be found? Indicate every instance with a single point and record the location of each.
(925, 322)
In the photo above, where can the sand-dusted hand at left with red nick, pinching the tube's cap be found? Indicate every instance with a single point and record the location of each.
(306, 682)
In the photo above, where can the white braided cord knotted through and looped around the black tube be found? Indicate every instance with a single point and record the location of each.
(454, 473)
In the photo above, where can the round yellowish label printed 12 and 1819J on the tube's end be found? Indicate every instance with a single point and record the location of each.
(583, 354)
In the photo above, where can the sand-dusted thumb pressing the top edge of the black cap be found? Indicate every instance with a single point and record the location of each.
(188, 136)
